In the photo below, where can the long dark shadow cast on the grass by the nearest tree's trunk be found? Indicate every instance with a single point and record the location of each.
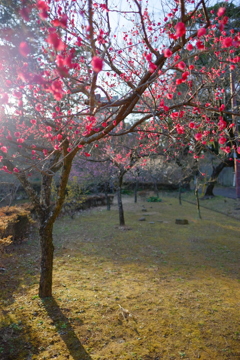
(65, 330)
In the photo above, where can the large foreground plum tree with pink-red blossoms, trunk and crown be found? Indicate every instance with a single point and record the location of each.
(69, 79)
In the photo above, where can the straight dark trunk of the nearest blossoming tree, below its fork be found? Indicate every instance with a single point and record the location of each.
(47, 249)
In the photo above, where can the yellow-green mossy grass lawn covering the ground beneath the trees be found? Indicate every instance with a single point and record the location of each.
(179, 283)
